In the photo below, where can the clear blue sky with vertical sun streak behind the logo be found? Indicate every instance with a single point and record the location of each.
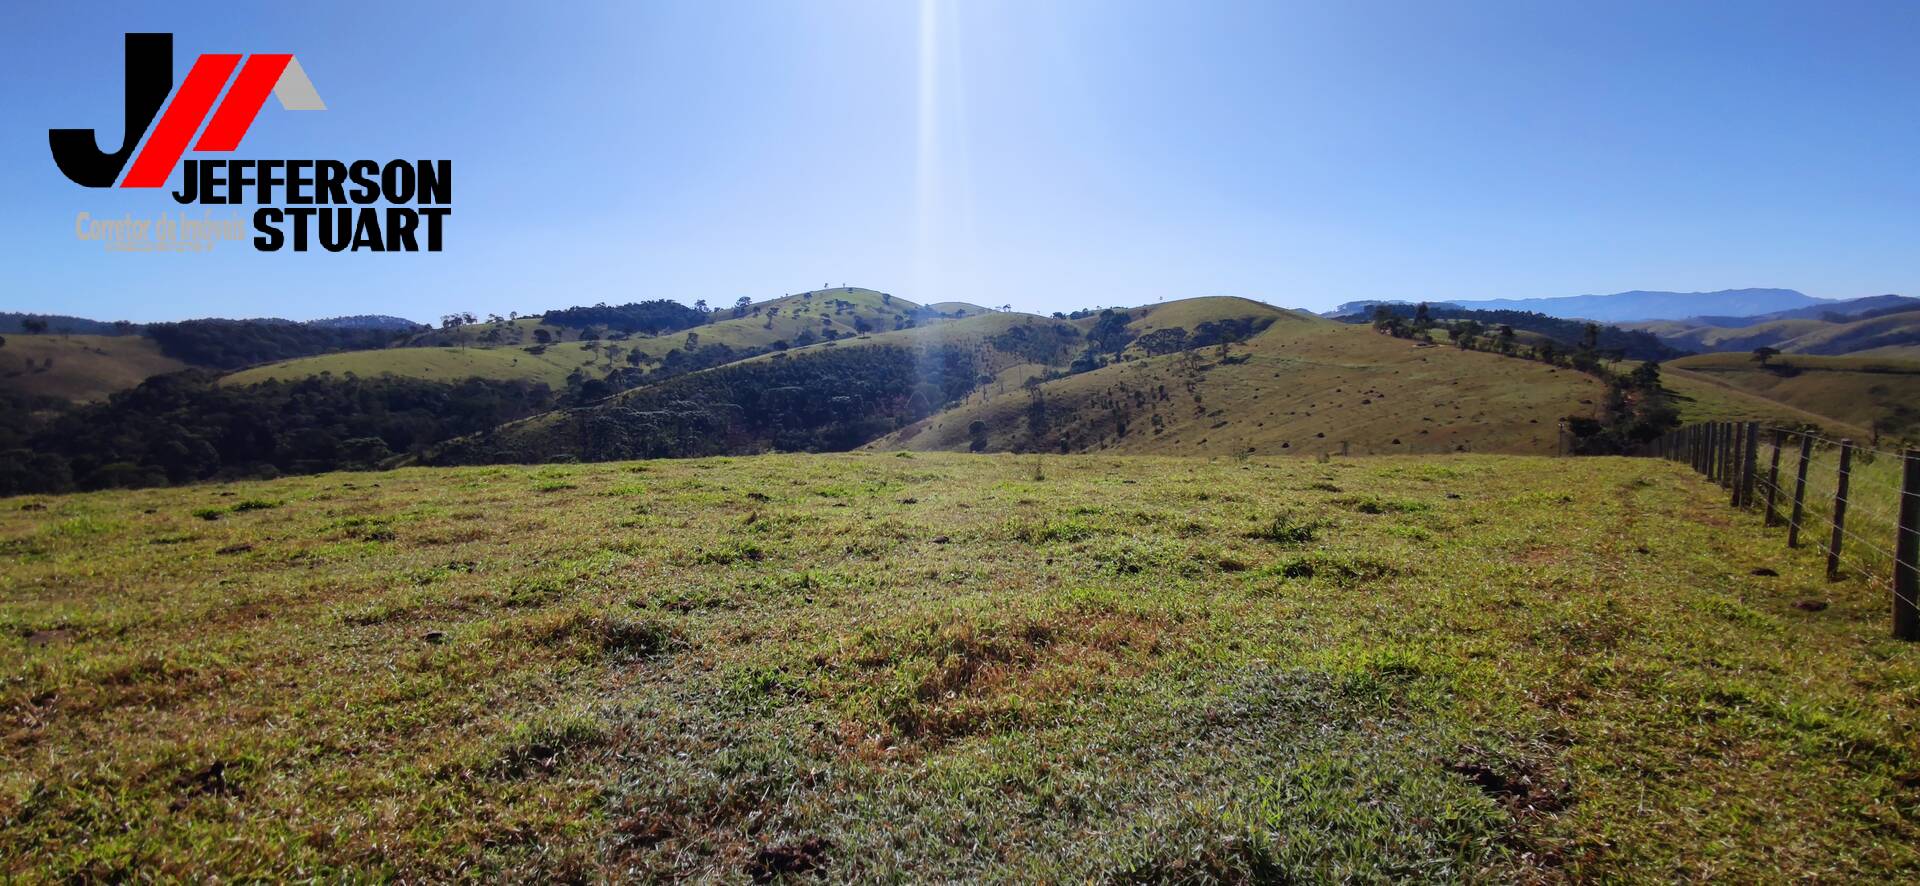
(1047, 155)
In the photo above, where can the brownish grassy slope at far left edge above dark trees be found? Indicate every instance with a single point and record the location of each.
(84, 366)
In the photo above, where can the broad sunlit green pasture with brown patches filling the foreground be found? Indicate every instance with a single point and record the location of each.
(875, 666)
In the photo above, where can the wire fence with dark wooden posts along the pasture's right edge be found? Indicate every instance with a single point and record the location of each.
(1858, 505)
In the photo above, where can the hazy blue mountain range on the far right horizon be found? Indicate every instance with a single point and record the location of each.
(1731, 307)
